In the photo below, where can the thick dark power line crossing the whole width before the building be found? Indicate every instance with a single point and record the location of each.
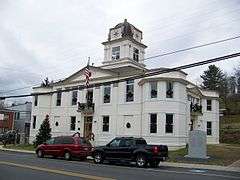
(148, 74)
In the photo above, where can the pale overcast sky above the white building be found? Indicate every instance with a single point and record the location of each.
(53, 38)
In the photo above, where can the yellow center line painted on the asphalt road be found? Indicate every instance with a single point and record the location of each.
(62, 172)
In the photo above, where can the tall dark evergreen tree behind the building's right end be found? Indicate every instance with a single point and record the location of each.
(215, 79)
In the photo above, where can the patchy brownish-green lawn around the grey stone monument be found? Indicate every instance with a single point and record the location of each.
(221, 154)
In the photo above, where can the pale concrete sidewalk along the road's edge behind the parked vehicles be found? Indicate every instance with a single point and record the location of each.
(232, 167)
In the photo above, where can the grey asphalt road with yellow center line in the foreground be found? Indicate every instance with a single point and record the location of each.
(21, 166)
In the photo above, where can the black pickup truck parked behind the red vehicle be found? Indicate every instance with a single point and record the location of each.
(132, 150)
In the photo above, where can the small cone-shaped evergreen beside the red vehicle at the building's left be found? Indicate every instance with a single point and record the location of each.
(44, 132)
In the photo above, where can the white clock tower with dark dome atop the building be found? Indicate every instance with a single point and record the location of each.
(124, 49)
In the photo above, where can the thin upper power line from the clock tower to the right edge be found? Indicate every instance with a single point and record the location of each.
(193, 47)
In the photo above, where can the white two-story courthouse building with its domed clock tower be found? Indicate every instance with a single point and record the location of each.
(162, 108)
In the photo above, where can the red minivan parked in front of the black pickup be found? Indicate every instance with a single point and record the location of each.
(65, 146)
